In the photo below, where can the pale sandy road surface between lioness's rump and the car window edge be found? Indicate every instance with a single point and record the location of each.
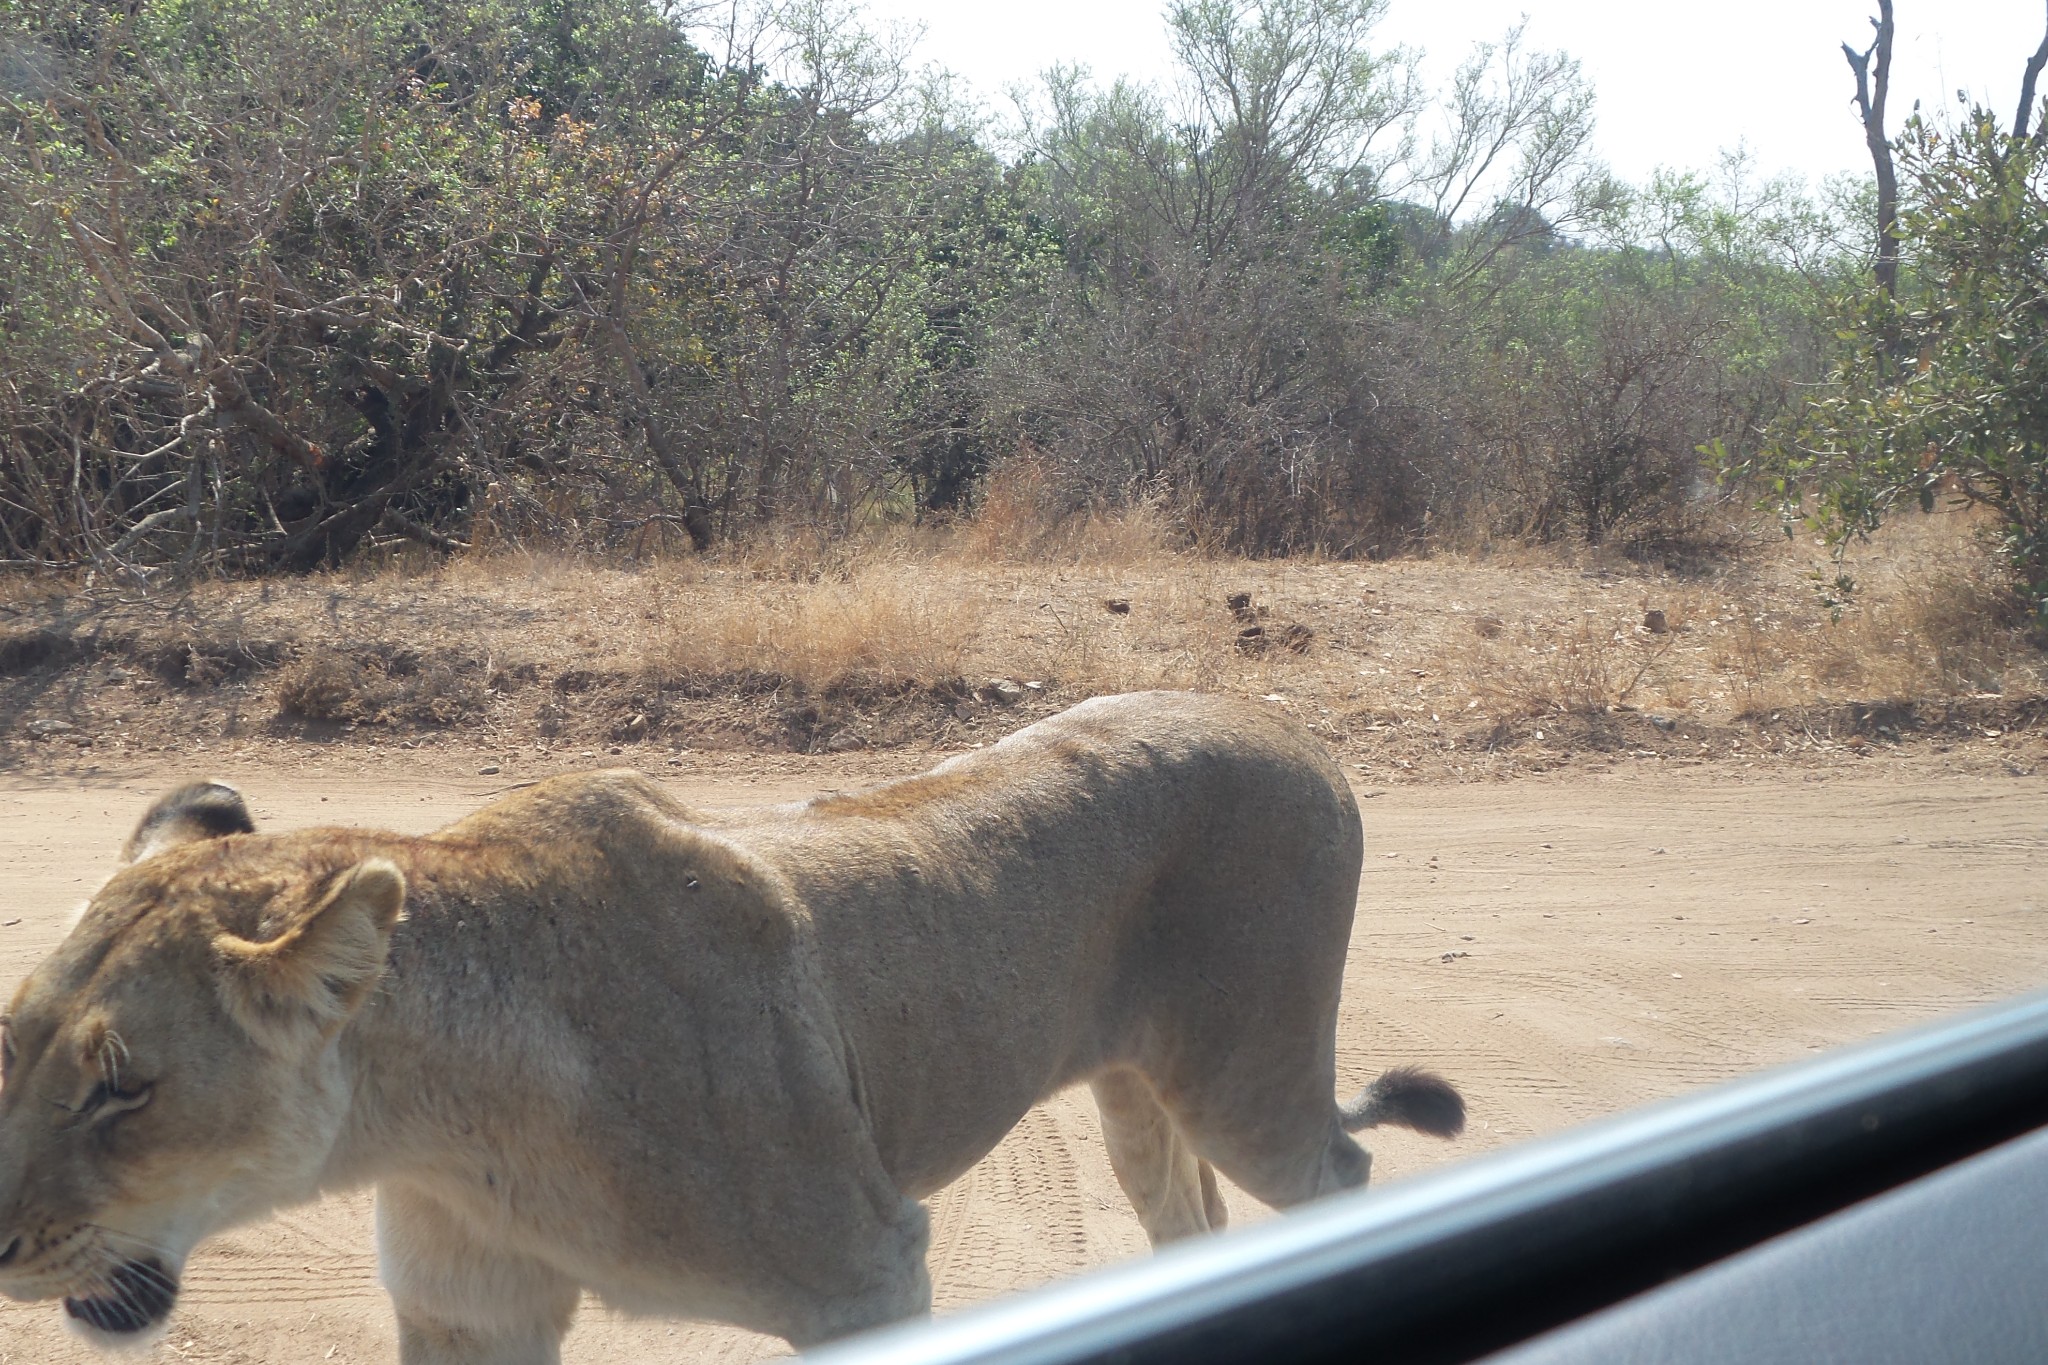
(1621, 944)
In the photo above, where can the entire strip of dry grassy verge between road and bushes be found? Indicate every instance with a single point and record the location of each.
(808, 642)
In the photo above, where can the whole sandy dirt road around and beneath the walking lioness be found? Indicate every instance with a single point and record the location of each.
(1562, 949)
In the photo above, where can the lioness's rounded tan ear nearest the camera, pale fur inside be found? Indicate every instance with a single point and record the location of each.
(312, 977)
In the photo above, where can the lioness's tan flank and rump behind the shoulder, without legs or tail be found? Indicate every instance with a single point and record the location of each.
(1017, 918)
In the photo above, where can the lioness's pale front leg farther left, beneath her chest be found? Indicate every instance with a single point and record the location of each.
(462, 1301)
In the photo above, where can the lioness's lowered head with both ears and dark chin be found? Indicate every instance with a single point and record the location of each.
(171, 1069)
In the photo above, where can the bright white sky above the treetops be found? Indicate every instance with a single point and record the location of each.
(1678, 83)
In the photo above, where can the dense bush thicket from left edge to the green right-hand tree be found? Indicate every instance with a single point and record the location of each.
(286, 277)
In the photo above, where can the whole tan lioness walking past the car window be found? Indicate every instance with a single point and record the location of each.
(587, 1039)
